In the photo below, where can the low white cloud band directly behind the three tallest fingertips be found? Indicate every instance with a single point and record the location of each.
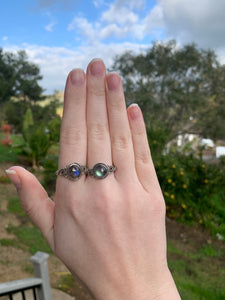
(56, 62)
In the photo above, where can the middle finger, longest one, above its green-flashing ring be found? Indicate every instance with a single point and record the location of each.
(99, 147)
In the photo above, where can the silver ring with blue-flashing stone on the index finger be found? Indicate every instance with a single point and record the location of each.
(72, 171)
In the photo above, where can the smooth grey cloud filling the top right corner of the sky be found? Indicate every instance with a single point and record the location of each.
(200, 21)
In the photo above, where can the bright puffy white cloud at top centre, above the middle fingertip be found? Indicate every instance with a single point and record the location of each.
(119, 20)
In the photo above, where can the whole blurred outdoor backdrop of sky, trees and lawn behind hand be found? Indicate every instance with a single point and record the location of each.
(171, 56)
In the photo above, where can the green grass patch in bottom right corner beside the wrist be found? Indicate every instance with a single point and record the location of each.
(198, 274)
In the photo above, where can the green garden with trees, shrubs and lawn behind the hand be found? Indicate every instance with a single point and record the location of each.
(180, 92)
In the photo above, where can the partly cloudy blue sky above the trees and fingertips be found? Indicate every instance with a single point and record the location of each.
(59, 35)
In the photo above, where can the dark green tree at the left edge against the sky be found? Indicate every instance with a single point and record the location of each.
(19, 77)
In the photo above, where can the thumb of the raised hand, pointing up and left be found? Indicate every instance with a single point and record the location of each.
(34, 200)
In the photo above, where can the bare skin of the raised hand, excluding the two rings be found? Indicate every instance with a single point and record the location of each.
(110, 233)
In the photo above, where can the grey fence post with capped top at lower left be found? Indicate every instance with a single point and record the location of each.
(39, 261)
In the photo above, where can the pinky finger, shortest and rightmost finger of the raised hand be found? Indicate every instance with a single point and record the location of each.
(143, 160)
